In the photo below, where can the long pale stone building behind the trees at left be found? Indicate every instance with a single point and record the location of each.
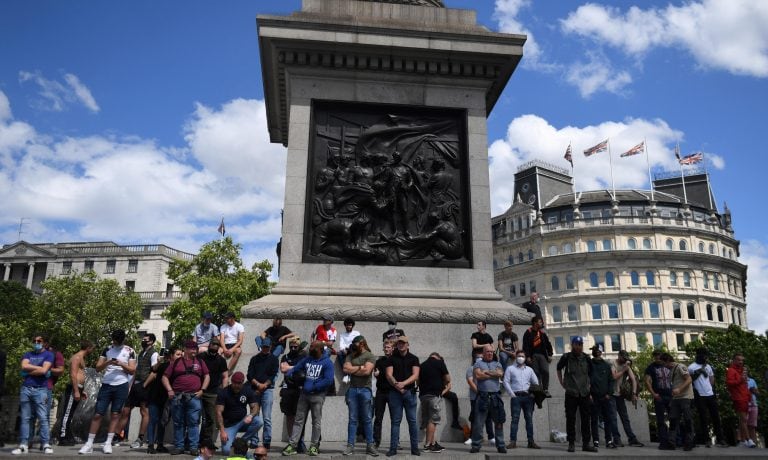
(141, 268)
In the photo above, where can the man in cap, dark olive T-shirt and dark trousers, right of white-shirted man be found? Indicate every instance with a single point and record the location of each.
(573, 371)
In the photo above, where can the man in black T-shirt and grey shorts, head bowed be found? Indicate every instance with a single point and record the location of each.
(434, 382)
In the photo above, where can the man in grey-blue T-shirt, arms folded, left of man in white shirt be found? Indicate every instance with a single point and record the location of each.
(488, 403)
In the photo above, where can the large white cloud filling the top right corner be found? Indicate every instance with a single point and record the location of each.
(721, 34)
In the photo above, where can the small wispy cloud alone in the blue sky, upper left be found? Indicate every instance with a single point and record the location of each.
(55, 95)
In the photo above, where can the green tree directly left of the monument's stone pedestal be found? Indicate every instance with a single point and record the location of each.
(214, 280)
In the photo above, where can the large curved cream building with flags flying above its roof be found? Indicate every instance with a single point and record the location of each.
(621, 269)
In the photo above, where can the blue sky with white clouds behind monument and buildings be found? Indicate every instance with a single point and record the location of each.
(143, 122)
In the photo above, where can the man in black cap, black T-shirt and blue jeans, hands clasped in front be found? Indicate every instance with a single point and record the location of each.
(402, 373)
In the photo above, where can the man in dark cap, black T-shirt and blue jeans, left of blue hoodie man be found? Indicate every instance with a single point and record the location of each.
(262, 369)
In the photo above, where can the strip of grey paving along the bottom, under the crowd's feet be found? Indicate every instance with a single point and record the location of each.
(454, 451)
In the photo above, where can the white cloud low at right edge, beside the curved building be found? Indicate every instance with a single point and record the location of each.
(755, 255)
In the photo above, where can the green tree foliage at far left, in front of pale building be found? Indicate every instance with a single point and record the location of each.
(71, 308)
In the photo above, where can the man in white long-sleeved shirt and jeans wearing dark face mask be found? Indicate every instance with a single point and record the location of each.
(518, 379)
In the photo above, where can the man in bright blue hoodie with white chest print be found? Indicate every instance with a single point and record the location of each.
(318, 376)
